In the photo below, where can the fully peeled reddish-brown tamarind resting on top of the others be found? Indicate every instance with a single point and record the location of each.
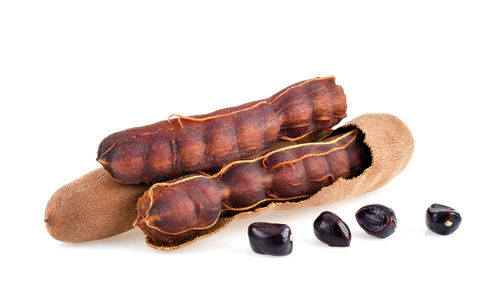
(182, 145)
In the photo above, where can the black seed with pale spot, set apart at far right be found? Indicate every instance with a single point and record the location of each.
(442, 219)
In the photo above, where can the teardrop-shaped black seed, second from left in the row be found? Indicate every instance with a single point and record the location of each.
(330, 229)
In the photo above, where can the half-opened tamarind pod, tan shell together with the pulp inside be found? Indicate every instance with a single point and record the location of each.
(359, 157)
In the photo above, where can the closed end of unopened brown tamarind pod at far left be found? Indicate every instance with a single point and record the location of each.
(92, 207)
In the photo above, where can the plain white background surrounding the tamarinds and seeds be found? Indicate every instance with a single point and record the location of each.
(72, 72)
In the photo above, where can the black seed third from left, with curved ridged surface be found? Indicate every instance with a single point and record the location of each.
(377, 220)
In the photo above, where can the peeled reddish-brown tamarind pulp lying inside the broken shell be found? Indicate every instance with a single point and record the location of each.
(195, 202)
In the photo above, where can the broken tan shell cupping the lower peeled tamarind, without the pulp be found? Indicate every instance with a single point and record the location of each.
(391, 145)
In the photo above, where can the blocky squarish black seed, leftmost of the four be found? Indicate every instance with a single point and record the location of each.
(270, 238)
